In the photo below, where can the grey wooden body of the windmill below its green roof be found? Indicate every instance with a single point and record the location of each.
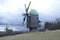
(32, 22)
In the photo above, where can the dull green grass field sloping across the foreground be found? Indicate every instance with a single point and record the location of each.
(47, 35)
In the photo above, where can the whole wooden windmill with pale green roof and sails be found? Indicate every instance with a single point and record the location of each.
(32, 18)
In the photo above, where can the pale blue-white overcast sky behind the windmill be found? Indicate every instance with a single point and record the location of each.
(48, 9)
